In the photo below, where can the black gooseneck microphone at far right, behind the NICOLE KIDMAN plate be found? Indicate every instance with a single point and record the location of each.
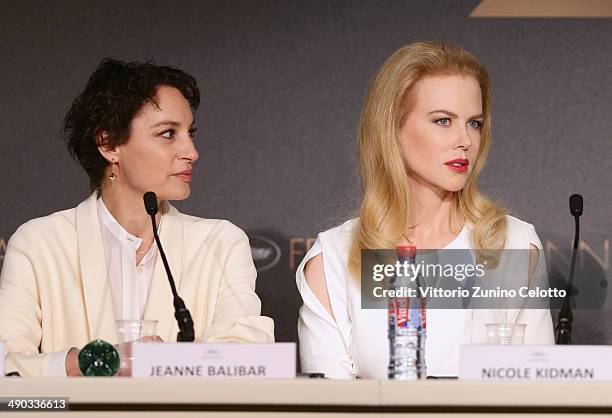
(565, 317)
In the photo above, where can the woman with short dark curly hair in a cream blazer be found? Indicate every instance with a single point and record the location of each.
(68, 276)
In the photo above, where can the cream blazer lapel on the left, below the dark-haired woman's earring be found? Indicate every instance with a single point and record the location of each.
(92, 260)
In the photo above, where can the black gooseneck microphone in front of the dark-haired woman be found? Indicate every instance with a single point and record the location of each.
(181, 313)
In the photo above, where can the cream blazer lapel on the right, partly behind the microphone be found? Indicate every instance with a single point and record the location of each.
(160, 304)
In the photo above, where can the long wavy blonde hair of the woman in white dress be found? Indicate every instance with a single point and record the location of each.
(384, 213)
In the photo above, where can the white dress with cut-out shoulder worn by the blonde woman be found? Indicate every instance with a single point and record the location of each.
(355, 343)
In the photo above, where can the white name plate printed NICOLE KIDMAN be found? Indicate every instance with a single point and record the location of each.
(533, 362)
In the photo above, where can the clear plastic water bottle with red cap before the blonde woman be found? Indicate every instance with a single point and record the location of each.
(406, 324)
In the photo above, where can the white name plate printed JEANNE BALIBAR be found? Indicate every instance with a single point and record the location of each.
(214, 361)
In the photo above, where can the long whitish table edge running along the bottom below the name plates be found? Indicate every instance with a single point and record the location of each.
(93, 397)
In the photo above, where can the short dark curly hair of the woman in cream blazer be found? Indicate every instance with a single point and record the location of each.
(113, 96)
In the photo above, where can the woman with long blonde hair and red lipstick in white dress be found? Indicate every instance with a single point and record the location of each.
(424, 136)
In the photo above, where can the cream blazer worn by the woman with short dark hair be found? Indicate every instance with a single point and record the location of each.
(54, 291)
